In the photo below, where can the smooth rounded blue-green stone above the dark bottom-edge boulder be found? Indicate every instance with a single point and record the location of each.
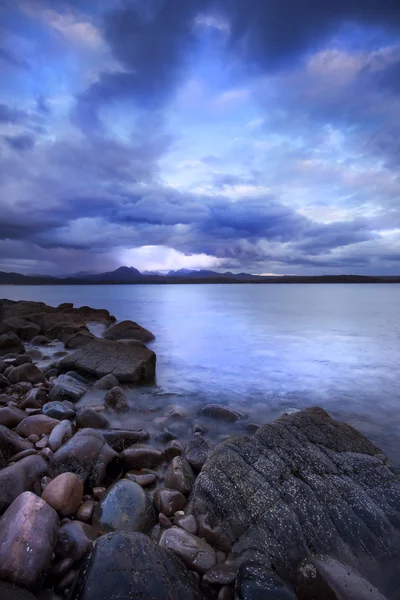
(125, 507)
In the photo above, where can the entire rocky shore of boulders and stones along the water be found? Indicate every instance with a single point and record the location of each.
(304, 507)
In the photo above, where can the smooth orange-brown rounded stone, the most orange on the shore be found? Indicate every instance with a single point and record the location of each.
(64, 493)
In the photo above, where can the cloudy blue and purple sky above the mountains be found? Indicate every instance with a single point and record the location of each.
(241, 135)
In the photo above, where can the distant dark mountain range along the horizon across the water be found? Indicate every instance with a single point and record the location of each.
(130, 275)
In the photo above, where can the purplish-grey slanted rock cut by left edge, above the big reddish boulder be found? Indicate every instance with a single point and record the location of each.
(20, 477)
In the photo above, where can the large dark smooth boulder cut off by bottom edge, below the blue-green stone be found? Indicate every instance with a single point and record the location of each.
(130, 566)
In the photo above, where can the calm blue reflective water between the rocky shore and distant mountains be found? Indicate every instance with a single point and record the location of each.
(264, 349)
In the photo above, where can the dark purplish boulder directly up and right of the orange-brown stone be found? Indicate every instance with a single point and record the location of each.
(88, 455)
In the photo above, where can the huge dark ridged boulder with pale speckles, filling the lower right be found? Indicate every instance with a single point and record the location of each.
(303, 485)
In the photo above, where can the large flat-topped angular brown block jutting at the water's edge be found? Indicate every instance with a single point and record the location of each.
(102, 357)
